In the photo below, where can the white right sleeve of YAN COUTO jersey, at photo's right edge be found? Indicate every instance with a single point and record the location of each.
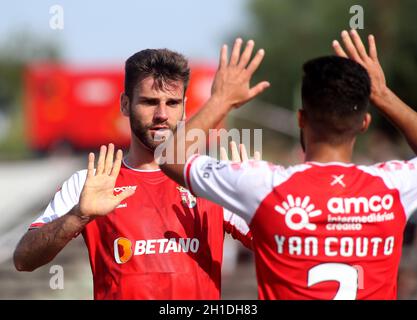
(400, 175)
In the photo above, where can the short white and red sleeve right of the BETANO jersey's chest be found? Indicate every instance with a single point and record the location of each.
(237, 228)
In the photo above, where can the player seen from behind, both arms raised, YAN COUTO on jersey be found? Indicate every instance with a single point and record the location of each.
(326, 228)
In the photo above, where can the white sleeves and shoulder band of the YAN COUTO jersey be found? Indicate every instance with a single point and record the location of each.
(241, 187)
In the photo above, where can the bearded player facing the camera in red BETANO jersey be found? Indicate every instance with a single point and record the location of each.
(147, 237)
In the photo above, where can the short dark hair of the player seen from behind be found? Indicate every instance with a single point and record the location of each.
(335, 94)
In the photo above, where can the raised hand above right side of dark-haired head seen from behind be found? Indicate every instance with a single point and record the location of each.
(355, 50)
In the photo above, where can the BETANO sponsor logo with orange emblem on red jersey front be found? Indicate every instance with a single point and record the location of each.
(124, 249)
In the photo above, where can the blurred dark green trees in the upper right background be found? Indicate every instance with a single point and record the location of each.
(293, 32)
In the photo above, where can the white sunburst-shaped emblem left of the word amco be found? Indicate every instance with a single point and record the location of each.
(297, 212)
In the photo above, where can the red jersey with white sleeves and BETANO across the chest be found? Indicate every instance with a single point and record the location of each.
(160, 243)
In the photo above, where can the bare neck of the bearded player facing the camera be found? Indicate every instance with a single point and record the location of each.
(139, 156)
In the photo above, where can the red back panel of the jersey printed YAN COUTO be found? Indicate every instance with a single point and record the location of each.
(330, 231)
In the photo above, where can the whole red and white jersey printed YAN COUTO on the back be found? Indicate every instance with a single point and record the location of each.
(320, 230)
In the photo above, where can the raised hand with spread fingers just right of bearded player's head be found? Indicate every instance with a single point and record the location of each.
(232, 81)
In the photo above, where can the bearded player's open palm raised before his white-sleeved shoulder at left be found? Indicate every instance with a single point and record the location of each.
(97, 197)
